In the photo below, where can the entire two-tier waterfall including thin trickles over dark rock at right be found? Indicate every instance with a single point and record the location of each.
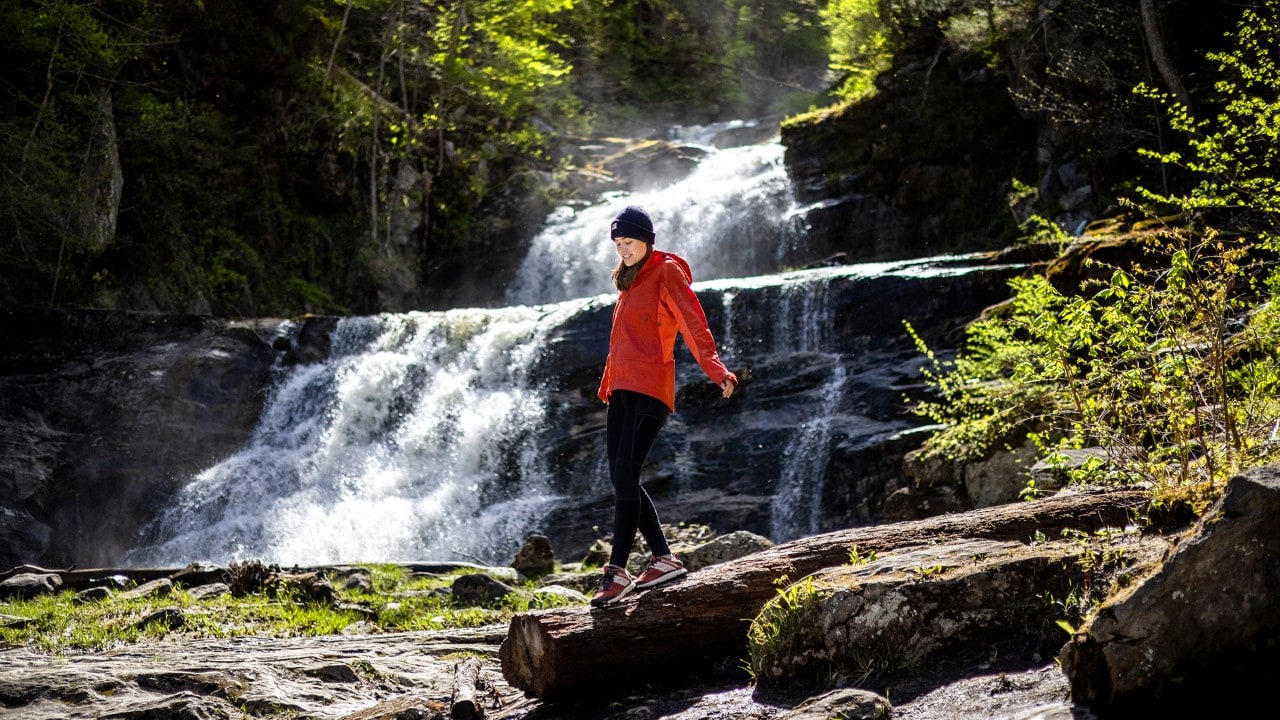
(454, 436)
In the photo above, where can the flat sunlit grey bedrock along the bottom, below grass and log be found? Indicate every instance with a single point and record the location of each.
(414, 676)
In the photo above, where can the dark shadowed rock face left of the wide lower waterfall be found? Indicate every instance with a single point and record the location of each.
(103, 414)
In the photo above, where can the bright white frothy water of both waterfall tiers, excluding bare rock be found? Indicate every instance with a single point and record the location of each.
(412, 441)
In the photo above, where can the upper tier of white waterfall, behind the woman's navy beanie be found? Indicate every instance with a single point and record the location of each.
(730, 218)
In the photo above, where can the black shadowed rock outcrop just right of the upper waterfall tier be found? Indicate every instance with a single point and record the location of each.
(922, 168)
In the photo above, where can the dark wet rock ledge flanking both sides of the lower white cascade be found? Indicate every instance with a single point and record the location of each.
(104, 416)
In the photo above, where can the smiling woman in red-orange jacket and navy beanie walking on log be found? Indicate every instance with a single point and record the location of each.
(639, 386)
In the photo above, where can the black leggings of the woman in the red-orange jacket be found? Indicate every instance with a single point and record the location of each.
(634, 421)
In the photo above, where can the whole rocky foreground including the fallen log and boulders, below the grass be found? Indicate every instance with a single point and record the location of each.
(1188, 626)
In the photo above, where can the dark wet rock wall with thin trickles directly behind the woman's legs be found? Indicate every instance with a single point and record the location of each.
(719, 462)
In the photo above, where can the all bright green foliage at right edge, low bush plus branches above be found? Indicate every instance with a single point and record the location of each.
(1172, 364)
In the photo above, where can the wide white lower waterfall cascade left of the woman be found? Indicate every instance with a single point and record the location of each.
(412, 441)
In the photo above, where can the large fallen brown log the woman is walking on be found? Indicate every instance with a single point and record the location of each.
(701, 621)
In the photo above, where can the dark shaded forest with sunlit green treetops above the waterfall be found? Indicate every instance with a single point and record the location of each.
(289, 157)
